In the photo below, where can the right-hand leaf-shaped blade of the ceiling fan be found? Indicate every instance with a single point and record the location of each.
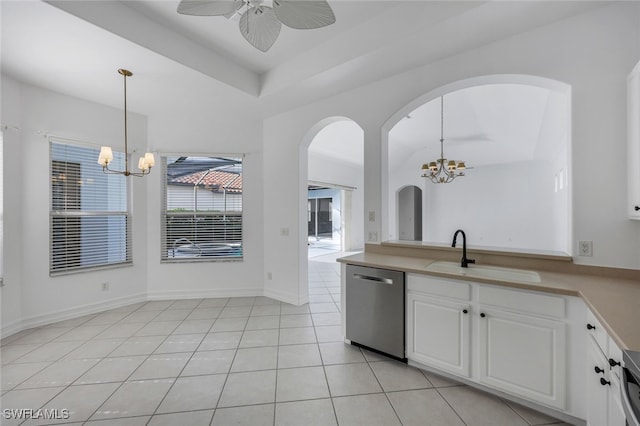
(304, 14)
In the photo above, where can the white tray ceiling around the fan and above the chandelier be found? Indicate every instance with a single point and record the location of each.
(75, 47)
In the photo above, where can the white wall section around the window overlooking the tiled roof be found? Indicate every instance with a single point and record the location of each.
(205, 126)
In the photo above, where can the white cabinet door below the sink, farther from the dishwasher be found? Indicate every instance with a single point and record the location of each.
(523, 355)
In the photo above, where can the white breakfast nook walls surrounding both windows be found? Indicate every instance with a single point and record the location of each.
(30, 296)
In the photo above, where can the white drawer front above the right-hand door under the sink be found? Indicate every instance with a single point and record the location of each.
(522, 301)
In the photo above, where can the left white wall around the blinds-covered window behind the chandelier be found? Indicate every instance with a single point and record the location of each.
(41, 298)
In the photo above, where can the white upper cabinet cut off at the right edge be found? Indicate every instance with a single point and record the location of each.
(633, 141)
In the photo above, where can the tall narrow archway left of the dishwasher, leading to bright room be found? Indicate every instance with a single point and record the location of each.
(331, 178)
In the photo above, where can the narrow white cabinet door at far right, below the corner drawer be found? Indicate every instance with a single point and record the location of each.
(597, 370)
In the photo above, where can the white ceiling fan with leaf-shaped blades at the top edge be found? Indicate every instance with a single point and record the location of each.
(260, 23)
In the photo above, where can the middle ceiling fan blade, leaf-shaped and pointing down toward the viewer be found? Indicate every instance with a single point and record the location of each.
(260, 27)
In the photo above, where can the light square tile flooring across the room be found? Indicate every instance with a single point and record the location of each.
(248, 360)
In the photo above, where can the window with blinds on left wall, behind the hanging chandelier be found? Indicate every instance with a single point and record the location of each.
(89, 221)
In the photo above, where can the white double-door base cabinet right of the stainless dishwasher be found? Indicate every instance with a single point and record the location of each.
(507, 339)
